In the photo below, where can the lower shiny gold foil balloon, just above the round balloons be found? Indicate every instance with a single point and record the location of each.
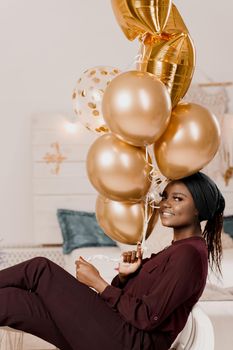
(171, 58)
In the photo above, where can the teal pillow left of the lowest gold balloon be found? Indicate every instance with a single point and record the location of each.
(80, 229)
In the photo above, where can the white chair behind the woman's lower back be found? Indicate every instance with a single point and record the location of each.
(198, 333)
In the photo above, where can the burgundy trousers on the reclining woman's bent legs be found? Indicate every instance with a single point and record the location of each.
(39, 297)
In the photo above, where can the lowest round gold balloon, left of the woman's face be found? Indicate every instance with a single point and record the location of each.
(122, 222)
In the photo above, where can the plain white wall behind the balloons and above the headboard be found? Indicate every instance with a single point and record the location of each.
(45, 46)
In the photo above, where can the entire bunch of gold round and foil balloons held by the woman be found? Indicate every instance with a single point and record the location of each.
(140, 108)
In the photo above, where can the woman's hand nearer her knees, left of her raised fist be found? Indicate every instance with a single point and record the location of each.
(87, 274)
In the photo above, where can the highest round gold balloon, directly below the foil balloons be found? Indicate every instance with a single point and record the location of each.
(136, 107)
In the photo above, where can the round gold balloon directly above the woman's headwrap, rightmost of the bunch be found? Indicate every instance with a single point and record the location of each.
(189, 143)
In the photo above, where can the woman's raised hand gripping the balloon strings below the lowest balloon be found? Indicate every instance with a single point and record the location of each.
(131, 262)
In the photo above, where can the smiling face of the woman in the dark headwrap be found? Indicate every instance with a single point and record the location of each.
(177, 208)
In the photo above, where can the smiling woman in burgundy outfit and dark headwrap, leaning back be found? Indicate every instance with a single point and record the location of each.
(147, 303)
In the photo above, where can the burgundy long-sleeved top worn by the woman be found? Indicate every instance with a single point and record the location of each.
(158, 298)
